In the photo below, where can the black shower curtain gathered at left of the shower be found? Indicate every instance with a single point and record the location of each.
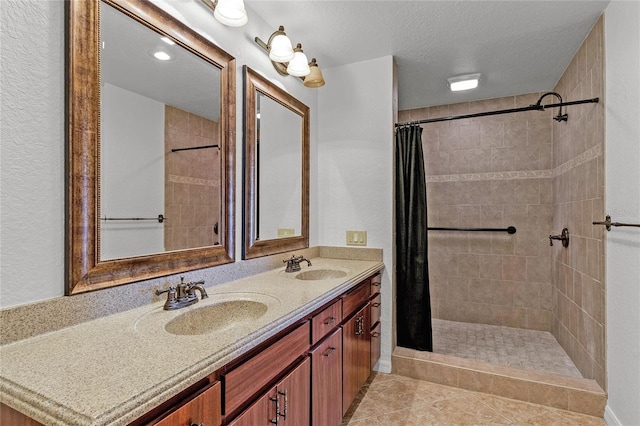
(413, 304)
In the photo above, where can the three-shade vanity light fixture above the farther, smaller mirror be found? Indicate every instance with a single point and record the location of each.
(291, 61)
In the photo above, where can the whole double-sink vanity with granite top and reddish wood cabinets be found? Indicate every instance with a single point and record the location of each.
(292, 348)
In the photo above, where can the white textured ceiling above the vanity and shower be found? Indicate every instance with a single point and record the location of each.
(518, 46)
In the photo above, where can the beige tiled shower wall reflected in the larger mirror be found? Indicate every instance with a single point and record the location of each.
(192, 181)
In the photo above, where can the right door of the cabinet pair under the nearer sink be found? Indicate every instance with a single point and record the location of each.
(294, 394)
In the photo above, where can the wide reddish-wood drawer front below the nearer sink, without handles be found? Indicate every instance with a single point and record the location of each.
(241, 383)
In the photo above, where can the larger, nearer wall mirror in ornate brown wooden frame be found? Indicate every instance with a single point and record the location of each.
(151, 131)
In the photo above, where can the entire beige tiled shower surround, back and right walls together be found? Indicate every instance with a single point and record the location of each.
(539, 175)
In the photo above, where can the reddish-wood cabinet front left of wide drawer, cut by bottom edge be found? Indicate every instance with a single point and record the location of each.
(204, 409)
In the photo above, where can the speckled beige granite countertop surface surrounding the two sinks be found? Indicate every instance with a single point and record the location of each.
(112, 370)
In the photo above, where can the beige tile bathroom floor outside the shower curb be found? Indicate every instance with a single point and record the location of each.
(390, 399)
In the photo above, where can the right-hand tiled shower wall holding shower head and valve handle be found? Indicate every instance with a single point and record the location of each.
(578, 161)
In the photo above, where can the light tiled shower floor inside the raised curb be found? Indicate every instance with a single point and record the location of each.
(513, 347)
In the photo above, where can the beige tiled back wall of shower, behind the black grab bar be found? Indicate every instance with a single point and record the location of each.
(491, 172)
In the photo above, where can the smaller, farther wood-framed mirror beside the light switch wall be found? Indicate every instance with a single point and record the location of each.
(276, 179)
